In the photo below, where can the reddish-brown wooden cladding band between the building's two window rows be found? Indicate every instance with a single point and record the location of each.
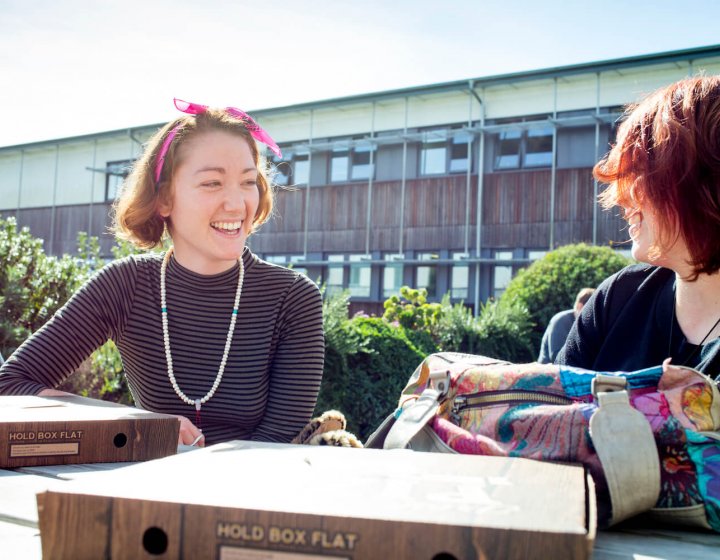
(516, 213)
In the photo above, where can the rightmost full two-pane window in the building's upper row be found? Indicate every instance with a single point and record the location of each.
(524, 149)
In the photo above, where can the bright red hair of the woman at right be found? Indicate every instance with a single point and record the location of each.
(667, 156)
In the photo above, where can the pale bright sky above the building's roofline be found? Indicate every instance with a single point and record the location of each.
(74, 67)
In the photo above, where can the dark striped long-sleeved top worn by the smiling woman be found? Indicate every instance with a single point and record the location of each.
(274, 368)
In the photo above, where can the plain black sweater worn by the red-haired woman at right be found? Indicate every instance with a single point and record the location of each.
(626, 326)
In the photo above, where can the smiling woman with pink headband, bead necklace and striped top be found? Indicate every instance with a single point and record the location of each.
(207, 331)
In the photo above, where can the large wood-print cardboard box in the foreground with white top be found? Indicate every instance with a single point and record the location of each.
(244, 500)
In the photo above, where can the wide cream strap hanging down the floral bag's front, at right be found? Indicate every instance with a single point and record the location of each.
(626, 447)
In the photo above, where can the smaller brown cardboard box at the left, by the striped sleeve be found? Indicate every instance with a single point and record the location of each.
(37, 431)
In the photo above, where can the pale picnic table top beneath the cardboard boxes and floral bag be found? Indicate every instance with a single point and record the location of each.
(20, 536)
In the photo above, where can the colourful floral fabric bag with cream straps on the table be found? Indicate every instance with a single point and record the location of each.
(649, 438)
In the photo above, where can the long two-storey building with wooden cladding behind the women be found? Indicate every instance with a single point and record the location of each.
(451, 187)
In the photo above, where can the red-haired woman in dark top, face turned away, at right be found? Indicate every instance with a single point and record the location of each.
(664, 173)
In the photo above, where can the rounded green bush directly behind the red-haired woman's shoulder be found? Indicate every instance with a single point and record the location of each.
(550, 284)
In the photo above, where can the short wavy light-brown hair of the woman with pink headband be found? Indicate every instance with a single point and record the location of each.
(135, 213)
